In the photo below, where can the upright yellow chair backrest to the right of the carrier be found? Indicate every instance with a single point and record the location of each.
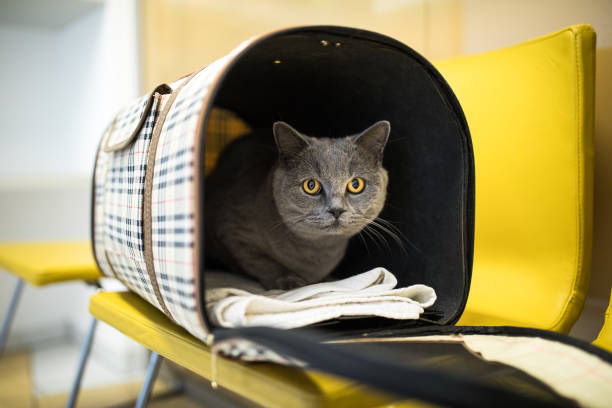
(530, 112)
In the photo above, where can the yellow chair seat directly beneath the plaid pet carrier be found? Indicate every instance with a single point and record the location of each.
(266, 384)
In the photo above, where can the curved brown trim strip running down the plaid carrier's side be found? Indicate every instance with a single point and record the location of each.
(147, 198)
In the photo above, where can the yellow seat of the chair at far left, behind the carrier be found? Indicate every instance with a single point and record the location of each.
(49, 262)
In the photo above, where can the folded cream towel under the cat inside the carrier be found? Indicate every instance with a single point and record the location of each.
(233, 301)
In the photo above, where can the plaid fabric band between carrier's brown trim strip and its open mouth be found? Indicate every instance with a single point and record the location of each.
(172, 203)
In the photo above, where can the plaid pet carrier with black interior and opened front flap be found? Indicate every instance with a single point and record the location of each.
(148, 204)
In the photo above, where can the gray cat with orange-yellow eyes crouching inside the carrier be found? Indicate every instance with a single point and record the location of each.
(284, 214)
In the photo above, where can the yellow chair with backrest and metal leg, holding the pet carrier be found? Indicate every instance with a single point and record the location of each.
(530, 111)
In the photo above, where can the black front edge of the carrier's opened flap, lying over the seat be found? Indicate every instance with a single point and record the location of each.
(354, 363)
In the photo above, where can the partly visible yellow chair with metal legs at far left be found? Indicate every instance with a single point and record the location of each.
(42, 264)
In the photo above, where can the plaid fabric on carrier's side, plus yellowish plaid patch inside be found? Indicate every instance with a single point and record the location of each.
(119, 188)
